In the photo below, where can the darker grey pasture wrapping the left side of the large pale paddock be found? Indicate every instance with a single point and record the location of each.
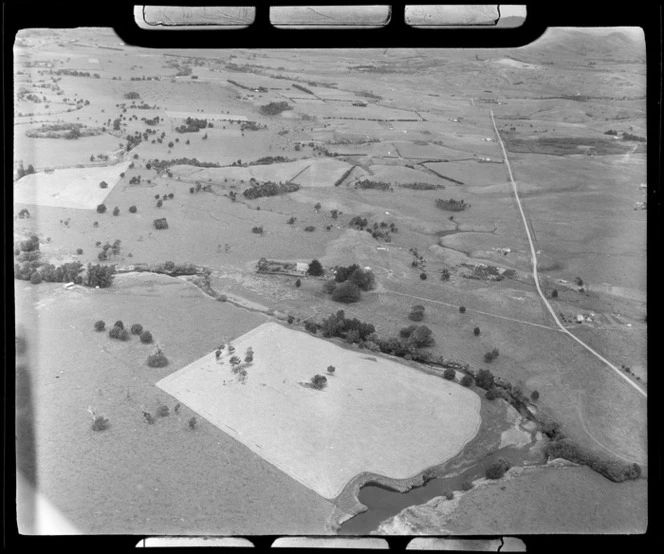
(134, 477)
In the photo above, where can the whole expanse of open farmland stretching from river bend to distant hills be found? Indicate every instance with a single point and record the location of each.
(393, 169)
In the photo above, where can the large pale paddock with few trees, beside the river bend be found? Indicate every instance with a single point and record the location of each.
(375, 415)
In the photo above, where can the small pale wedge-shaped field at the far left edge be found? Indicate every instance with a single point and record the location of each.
(68, 188)
